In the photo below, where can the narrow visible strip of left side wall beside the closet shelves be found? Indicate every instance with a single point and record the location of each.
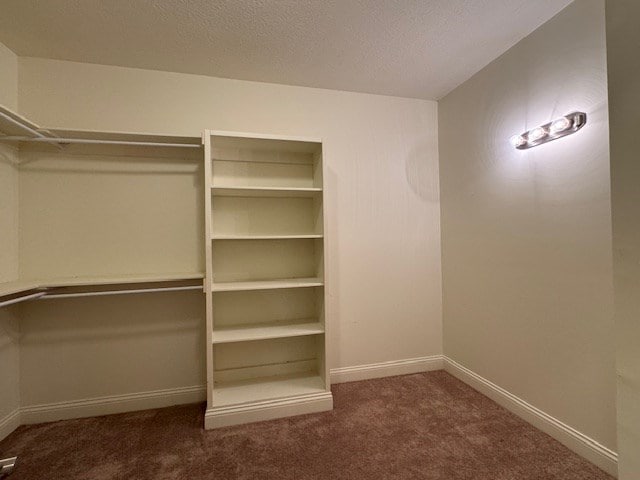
(9, 333)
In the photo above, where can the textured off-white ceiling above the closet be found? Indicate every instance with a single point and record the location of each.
(408, 48)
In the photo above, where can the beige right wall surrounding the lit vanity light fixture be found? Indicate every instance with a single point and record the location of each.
(526, 235)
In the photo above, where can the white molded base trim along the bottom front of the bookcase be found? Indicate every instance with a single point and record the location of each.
(268, 410)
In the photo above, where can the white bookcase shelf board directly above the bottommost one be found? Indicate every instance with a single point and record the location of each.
(265, 332)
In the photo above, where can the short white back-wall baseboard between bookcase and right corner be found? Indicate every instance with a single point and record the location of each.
(386, 369)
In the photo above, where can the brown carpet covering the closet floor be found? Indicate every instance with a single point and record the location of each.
(421, 426)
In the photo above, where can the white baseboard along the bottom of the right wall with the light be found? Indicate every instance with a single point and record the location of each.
(583, 445)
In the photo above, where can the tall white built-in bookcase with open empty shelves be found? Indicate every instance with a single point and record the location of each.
(264, 284)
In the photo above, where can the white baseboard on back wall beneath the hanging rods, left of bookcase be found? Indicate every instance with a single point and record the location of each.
(93, 407)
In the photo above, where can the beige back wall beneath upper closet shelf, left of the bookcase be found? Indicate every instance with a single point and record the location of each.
(102, 214)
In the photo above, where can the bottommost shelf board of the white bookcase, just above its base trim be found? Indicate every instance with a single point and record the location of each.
(234, 393)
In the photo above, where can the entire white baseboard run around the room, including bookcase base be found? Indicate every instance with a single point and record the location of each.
(580, 443)
